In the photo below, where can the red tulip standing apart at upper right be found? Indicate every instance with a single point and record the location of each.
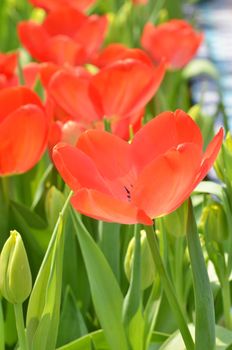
(175, 41)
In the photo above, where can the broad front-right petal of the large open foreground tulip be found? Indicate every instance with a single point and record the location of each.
(167, 181)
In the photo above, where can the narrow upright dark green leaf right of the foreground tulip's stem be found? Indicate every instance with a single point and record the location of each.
(204, 304)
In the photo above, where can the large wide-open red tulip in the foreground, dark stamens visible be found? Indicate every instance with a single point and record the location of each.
(132, 183)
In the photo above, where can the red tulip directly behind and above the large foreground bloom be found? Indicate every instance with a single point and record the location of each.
(119, 93)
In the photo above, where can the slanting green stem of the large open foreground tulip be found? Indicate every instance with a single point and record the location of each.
(168, 288)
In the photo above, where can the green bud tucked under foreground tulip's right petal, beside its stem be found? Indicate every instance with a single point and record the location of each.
(176, 222)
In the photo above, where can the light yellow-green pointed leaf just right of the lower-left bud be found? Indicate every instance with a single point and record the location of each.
(44, 303)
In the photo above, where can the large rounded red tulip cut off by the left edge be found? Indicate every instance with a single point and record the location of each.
(23, 130)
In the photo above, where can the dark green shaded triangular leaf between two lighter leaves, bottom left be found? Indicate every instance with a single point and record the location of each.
(72, 323)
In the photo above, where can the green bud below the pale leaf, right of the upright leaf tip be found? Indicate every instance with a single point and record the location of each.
(214, 222)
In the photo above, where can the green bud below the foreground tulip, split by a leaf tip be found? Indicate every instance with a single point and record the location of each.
(147, 264)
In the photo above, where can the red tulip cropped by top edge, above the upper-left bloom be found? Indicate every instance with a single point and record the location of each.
(51, 5)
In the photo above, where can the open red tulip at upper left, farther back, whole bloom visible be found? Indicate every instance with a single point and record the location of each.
(65, 36)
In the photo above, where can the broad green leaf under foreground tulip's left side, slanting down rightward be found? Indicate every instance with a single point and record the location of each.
(106, 294)
